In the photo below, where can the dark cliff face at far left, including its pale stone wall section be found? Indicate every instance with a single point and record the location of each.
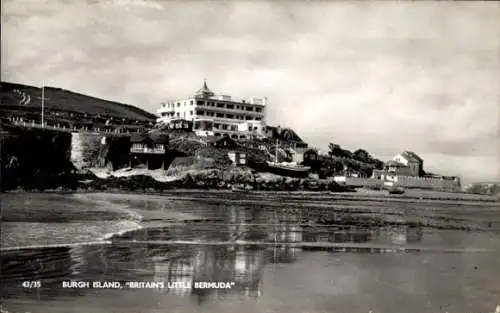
(39, 159)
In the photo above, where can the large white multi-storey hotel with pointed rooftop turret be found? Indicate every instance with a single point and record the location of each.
(217, 114)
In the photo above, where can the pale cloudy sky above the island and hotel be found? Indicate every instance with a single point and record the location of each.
(382, 76)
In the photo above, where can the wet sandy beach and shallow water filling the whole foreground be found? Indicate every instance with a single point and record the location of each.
(195, 251)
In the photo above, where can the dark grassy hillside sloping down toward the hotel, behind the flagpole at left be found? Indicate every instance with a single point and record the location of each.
(23, 98)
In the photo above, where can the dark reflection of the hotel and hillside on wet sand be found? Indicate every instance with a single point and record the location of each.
(187, 264)
